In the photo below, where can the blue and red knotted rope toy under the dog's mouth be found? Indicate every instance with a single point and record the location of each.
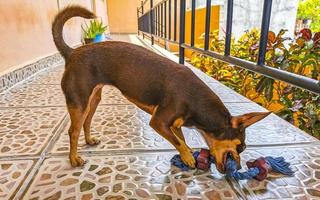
(257, 169)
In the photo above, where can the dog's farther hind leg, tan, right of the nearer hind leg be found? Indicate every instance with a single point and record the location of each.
(95, 100)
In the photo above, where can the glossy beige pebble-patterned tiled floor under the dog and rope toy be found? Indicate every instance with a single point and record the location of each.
(132, 161)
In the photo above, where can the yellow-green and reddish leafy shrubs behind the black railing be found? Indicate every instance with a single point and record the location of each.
(300, 55)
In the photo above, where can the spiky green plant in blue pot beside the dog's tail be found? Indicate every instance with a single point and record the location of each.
(94, 32)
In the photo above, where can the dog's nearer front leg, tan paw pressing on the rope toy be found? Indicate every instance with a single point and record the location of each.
(166, 131)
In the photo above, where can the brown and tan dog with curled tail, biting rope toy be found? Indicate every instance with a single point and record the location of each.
(170, 92)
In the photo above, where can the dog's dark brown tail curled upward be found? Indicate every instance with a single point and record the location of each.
(59, 21)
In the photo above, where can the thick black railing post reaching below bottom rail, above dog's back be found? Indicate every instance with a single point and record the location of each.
(182, 30)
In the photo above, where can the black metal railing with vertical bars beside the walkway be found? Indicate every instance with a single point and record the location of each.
(153, 24)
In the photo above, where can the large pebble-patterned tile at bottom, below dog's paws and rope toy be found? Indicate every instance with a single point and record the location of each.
(148, 176)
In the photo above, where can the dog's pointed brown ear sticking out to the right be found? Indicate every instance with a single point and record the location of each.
(248, 119)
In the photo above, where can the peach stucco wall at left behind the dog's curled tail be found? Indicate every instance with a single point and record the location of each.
(25, 28)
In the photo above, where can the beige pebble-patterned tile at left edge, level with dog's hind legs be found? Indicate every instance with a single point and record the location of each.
(25, 131)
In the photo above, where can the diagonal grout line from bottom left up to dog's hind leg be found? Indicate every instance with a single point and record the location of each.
(28, 180)
